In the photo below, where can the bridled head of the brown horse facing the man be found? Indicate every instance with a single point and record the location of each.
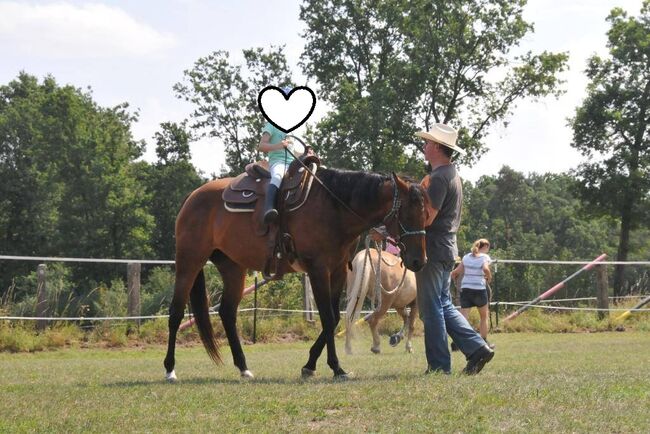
(406, 222)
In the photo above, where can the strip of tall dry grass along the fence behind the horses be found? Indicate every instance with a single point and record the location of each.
(274, 327)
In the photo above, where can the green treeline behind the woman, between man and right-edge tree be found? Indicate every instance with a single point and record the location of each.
(533, 217)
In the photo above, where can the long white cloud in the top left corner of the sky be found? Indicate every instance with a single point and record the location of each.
(63, 30)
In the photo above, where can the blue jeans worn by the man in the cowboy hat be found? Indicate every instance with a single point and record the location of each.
(440, 317)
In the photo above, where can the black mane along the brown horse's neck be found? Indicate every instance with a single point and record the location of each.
(353, 187)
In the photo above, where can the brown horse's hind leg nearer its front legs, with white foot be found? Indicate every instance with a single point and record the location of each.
(233, 276)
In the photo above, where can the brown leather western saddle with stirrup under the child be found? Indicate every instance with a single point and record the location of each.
(246, 192)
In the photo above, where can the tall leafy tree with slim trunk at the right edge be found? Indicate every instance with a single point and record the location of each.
(612, 125)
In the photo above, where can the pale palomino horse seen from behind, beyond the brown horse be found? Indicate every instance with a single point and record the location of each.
(398, 290)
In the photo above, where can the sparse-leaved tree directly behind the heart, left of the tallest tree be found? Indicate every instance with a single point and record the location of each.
(224, 96)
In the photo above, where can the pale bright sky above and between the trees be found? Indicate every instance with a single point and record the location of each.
(135, 51)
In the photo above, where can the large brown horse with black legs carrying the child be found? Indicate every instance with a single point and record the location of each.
(324, 229)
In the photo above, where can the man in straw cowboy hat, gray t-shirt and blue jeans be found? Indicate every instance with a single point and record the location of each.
(437, 313)
